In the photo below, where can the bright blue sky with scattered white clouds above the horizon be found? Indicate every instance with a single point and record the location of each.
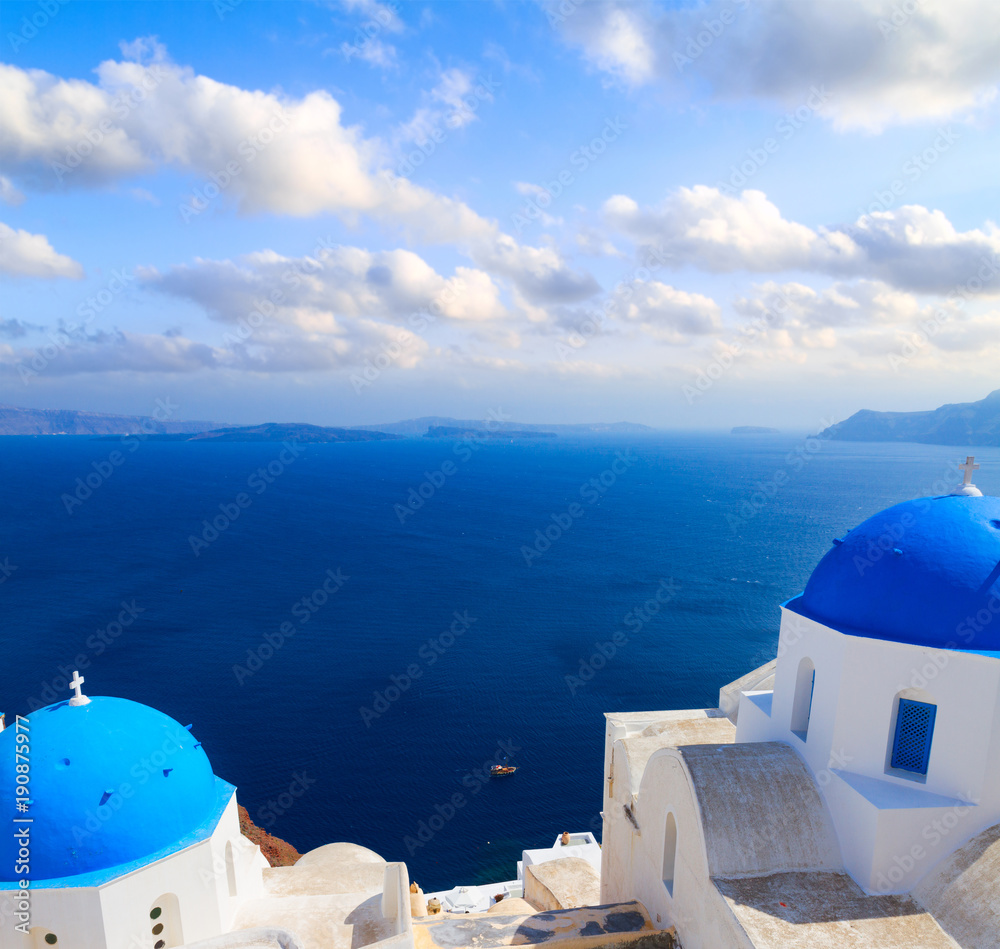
(690, 216)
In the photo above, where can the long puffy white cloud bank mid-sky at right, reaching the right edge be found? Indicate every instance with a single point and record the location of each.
(911, 248)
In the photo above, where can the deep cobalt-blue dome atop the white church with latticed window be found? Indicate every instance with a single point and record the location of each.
(923, 572)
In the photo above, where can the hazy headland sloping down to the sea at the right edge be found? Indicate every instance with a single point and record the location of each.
(959, 423)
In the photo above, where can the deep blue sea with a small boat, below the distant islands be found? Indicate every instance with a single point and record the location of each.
(357, 630)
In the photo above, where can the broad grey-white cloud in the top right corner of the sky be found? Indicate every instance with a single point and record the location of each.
(882, 65)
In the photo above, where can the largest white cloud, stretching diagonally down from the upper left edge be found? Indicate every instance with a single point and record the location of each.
(272, 153)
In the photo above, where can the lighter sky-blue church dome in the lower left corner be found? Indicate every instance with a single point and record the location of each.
(112, 782)
